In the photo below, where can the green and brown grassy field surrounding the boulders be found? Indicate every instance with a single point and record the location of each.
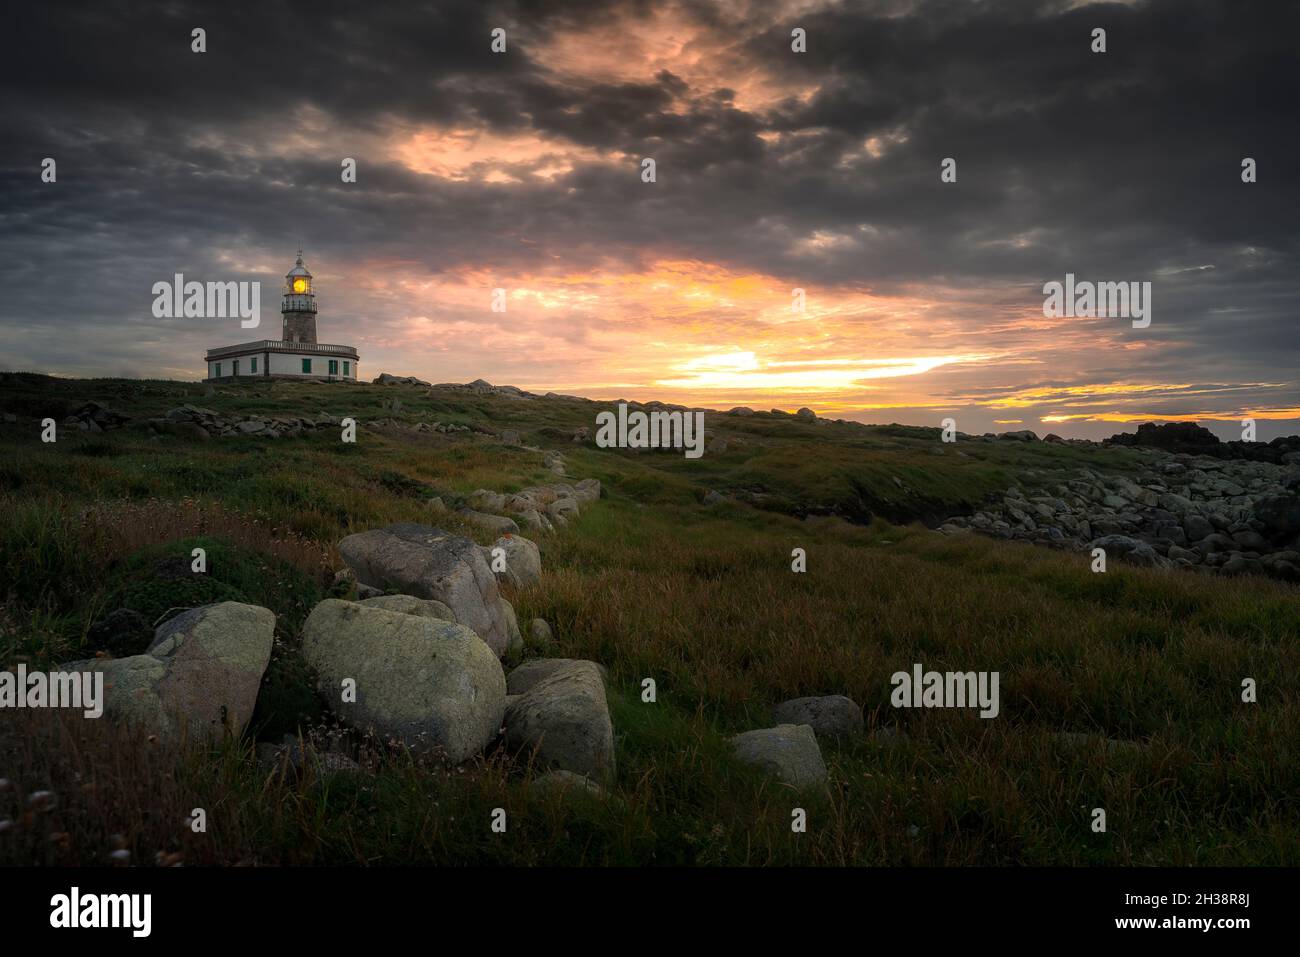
(656, 584)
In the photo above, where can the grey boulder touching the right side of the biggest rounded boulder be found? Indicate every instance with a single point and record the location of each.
(564, 720)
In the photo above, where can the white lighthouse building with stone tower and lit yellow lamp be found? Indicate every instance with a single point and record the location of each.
(296, 354)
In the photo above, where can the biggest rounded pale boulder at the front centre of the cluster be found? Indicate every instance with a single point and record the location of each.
(432, 685)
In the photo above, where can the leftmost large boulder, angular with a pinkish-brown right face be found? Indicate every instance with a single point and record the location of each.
(200, 677)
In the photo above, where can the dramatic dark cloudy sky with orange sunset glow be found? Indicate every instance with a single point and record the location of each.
(777, 171)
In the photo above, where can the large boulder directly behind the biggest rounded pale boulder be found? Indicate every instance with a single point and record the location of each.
(427, 562)
